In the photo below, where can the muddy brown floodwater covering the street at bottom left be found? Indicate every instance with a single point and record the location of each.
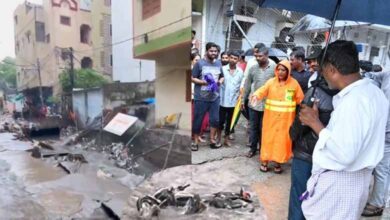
(33, 188)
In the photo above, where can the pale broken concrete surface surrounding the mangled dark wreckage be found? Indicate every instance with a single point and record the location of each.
(204, 179)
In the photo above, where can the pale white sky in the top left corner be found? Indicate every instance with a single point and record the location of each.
(7, 24)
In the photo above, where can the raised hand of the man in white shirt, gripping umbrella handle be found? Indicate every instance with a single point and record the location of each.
(310, 117)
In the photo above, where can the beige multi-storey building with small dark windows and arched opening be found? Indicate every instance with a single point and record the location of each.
(45, 33)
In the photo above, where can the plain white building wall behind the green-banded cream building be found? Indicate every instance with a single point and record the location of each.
(125, 67)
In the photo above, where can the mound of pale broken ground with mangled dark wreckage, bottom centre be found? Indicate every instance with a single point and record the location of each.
(212, 195)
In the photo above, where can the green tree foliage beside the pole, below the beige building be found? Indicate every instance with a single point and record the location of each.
(84, 78)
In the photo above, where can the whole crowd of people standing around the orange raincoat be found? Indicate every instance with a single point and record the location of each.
(326, 112)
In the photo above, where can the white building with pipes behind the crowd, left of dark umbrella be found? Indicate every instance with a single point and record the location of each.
(239, 25)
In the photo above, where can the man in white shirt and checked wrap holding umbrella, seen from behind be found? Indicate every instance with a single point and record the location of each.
(351, 145)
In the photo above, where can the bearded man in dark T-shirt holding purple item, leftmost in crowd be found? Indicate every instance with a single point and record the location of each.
(207, 76)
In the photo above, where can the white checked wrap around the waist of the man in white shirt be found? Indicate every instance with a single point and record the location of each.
(336, 195)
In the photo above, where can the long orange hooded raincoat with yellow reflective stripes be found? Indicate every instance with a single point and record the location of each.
(279, 113)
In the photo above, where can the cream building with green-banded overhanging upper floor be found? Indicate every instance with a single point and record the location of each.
(163, 34)
